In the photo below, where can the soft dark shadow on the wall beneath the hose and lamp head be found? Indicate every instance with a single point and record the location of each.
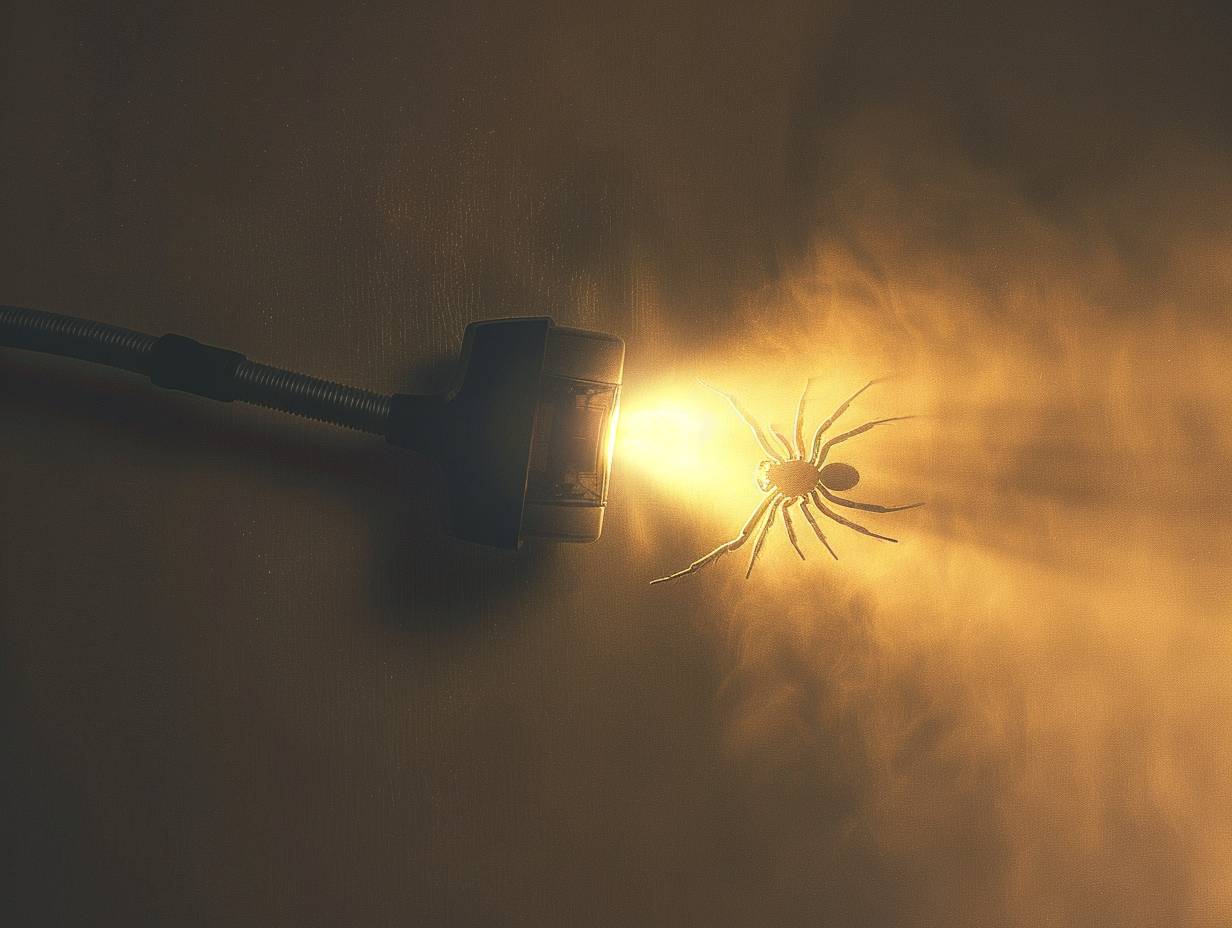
(422, 580)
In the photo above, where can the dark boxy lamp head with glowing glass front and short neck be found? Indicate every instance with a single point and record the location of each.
(525, 438)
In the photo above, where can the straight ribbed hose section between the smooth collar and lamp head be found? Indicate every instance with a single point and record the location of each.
(311, 397)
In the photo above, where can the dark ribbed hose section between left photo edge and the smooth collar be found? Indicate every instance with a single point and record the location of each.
(51, 333)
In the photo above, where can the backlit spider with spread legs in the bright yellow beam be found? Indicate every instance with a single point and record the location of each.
(792, 476)
